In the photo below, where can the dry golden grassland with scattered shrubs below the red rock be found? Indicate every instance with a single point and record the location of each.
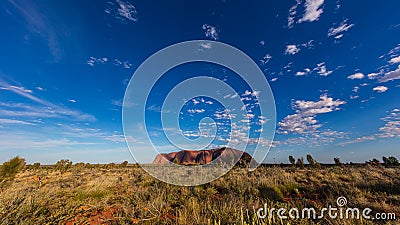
(82, 193)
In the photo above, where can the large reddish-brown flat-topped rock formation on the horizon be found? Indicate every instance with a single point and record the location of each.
(201, 157)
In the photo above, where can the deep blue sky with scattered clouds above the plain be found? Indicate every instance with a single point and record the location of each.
(333, 67)
